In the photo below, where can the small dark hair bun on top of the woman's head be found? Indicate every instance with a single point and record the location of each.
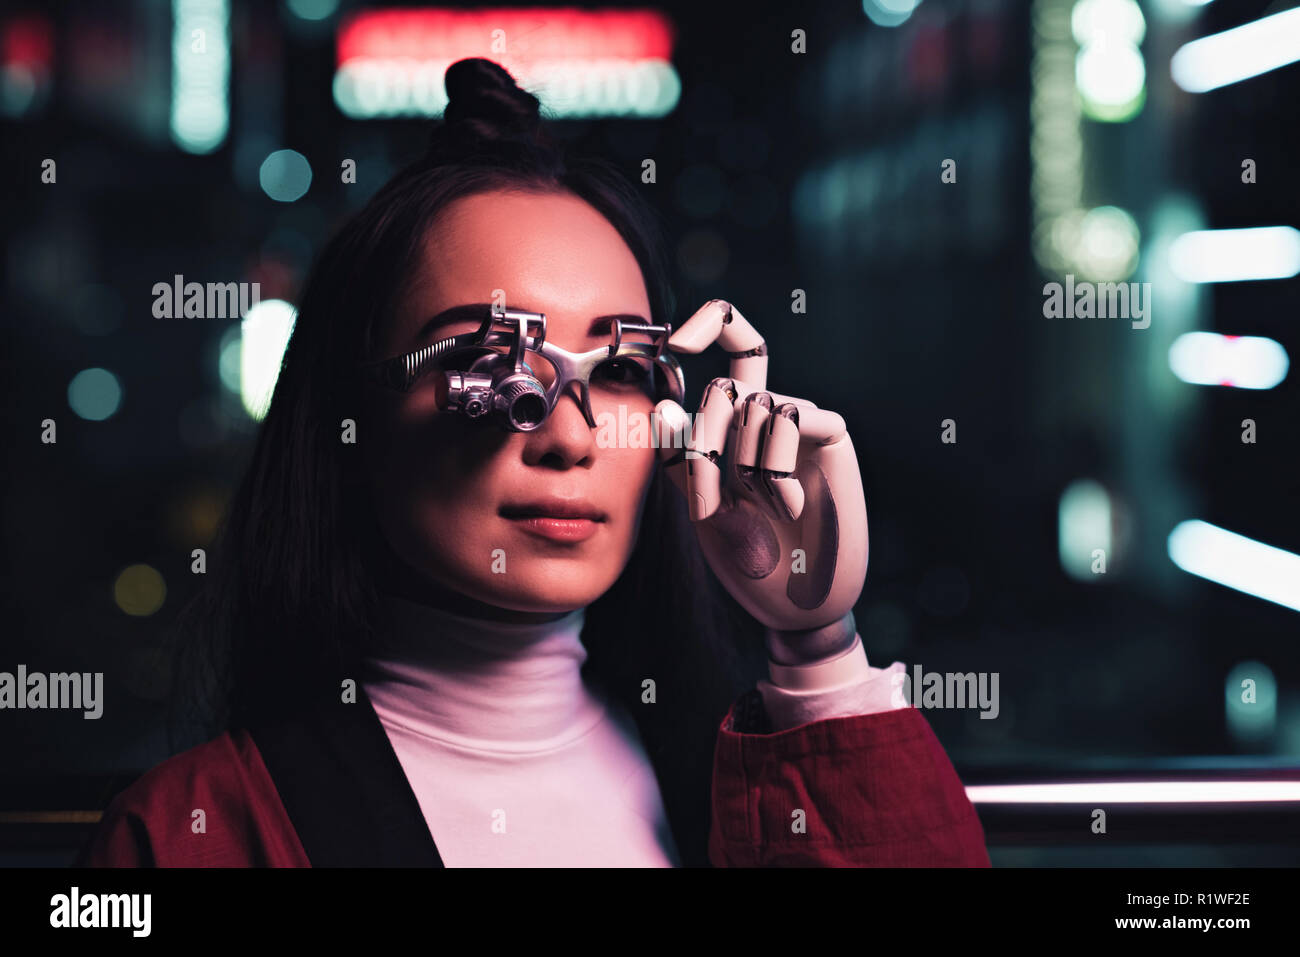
(486, 106)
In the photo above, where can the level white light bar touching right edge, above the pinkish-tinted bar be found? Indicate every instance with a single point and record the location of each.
(1236, 256)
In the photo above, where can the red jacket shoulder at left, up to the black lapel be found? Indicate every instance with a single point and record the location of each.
(210, 807)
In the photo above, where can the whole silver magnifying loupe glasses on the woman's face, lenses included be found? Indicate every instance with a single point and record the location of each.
(506, 373)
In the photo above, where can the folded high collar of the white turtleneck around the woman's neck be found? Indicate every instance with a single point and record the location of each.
(482, 685)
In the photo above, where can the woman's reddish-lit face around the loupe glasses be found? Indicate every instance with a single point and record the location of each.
(447, 490)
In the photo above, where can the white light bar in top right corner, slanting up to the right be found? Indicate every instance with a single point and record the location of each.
(1238, 54)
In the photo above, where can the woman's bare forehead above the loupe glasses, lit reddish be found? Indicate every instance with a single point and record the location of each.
(544, 253)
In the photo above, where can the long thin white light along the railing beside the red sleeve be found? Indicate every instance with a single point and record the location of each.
(1137, 793)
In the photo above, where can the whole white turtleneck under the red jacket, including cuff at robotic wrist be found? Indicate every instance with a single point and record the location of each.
(515, 761)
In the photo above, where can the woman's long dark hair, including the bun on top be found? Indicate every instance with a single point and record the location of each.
(291, 603)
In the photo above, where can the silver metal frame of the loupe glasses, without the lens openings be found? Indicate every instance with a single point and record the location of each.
(504, 386)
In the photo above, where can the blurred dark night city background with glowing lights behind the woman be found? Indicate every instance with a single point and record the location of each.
(1108, 534)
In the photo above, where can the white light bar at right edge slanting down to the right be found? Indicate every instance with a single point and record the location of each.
(1238, 562)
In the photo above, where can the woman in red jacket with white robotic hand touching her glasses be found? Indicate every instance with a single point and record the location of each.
(436, 639)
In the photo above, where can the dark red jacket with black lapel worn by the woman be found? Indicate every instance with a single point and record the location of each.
(872, 791)
